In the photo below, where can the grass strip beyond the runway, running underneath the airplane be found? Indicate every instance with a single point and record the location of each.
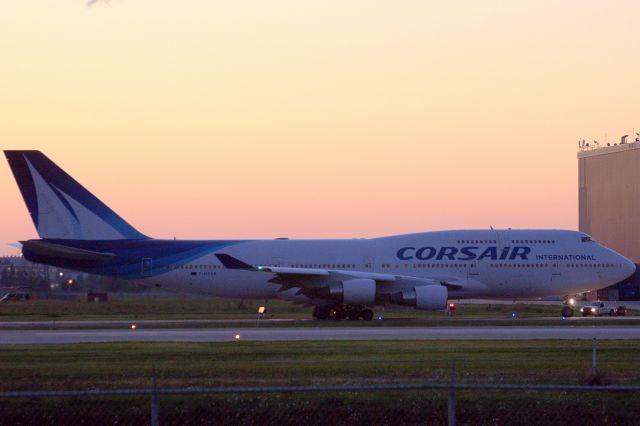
(137, 308)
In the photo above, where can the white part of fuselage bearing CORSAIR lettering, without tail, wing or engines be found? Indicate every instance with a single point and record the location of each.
(481, 264)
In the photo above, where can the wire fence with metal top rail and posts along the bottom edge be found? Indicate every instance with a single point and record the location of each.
(415, 403)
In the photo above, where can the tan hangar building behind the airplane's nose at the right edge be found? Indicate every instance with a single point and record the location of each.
(609, 205)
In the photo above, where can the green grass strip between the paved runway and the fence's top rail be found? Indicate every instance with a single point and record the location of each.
(123, 365)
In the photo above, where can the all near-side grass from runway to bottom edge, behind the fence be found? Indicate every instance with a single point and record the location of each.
(129, 365)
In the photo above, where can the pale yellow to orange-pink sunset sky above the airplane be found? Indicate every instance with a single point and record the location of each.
(262, 119)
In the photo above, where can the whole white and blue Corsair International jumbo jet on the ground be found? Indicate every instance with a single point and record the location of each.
(341, 278)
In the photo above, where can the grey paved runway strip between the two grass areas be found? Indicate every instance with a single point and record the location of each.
(49, 337)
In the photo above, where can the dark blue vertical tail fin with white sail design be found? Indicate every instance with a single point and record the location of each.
(59, 206)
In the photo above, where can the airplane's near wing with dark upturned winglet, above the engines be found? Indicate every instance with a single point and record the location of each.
(289, 277)
